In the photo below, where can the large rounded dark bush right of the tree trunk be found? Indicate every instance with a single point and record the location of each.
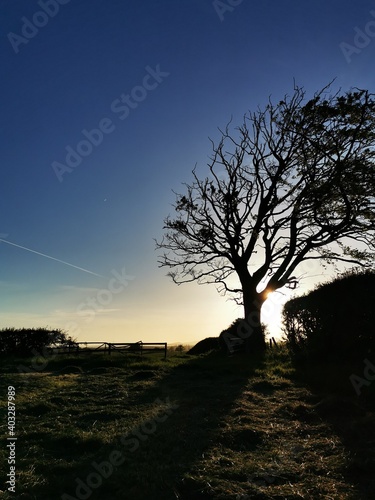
(334, 322)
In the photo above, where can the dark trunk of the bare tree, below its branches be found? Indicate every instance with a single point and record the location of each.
(251, 328)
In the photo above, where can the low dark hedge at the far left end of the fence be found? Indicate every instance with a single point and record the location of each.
(28, 341)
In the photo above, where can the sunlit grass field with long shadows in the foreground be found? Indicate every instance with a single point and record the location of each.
(125, 427)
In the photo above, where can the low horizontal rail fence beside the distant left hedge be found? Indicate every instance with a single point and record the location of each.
(109, 347)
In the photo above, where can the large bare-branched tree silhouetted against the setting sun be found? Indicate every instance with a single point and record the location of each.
(299, 184)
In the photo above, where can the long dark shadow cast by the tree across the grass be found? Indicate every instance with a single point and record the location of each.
(188, 407)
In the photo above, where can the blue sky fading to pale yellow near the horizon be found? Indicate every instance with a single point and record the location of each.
(106, 107)
